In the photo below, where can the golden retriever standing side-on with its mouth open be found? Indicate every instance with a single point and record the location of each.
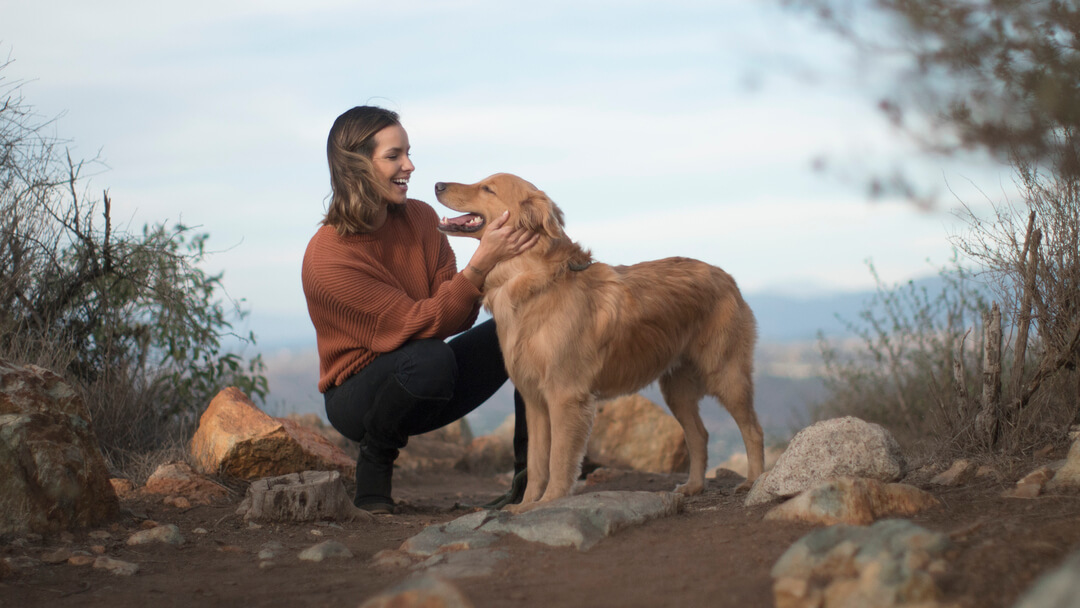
(574, 332)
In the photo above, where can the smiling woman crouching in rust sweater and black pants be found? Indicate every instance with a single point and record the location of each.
(384, 293)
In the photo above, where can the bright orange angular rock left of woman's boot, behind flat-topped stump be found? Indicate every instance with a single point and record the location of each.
(236, 439)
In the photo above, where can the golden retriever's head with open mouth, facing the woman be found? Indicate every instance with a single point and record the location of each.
(488, 199)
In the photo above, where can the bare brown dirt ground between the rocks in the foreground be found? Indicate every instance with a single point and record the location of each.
(717, 553)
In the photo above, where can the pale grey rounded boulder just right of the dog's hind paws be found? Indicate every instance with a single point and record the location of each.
(841, 448)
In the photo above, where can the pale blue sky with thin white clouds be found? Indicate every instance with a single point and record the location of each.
(679, 128)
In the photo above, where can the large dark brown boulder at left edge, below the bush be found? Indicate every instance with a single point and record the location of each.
(52, 474)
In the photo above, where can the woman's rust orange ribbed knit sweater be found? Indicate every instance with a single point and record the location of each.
(369, 294)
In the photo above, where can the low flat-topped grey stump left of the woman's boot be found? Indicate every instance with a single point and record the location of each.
(310, 496)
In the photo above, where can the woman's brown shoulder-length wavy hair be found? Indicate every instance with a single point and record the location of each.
(357, 195)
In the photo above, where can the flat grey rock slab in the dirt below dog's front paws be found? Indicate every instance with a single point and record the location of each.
(578, 521)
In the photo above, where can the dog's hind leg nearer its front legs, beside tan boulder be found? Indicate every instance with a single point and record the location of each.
(683, 389)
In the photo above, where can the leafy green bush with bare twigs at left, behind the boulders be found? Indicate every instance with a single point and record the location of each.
(130, 319)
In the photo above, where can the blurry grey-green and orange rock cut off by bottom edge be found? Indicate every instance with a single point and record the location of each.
(888, 564)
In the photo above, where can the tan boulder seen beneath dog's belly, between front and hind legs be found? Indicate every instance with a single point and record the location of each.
(632, 433)
